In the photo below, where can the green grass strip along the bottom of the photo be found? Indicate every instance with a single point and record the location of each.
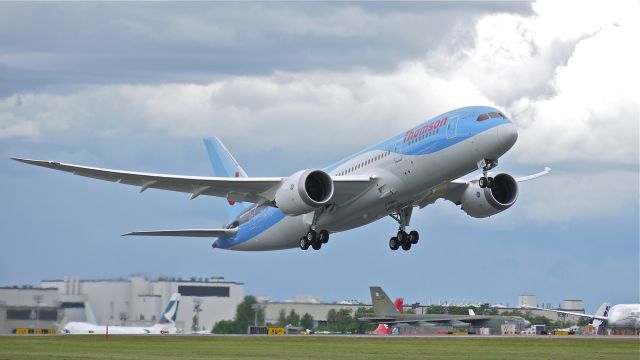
(313, 347)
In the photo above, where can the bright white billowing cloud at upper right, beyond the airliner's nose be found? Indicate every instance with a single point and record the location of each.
(570, 86)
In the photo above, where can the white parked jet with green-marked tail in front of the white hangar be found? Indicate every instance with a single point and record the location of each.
(166, 324)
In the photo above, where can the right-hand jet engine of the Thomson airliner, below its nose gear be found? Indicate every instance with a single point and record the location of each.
(479, 203)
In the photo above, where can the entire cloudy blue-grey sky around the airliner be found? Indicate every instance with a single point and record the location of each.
(289, 86)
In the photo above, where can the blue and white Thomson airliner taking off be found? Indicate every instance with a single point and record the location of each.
(411, 169)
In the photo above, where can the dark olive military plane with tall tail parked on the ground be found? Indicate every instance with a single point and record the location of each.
(385, 312)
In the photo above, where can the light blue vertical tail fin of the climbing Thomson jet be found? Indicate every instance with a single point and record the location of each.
(225, 165)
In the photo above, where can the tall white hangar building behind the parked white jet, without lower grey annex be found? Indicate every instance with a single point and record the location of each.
(138, 301)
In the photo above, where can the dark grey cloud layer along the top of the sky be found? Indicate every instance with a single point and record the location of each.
(66, 44)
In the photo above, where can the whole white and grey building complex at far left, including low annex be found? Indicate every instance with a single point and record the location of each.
(136, 301)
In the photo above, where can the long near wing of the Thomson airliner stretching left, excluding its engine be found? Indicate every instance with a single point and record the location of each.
(251, 189)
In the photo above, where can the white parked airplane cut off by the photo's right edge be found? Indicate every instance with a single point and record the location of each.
(625, 316)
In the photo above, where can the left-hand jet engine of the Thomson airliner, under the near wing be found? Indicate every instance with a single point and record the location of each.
(304, 191)
